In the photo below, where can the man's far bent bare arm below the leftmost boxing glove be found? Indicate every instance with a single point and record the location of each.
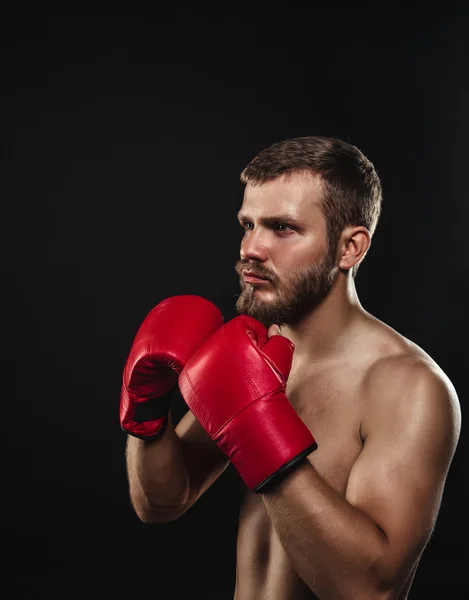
(166, 476)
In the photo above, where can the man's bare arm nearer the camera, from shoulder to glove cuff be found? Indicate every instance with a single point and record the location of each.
(366, 544)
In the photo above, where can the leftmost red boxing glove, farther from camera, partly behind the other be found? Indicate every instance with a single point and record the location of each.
(173, 330)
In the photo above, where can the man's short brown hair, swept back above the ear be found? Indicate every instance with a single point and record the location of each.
(352, 188)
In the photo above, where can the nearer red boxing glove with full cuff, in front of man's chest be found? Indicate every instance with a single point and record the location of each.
(235, 386)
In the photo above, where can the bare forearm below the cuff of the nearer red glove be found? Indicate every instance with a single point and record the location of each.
(335, 548)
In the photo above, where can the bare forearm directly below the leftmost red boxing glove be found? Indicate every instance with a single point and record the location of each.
(158, 478)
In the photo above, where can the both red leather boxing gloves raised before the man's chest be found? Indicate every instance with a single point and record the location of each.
(231, 377)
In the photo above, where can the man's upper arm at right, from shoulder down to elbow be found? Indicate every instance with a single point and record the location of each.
(399, 477)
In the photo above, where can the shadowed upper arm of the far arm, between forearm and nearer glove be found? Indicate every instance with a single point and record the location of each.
(205, 462)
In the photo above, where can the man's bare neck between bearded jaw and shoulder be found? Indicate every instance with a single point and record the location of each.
(324, 333)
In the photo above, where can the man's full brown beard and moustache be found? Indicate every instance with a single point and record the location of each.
(296, 296)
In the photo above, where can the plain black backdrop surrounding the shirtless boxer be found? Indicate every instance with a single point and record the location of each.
(122, 146)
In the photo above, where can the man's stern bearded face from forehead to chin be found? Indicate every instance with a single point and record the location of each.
(285, 246)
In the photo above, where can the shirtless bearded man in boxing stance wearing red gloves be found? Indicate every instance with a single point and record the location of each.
(358, 471)
